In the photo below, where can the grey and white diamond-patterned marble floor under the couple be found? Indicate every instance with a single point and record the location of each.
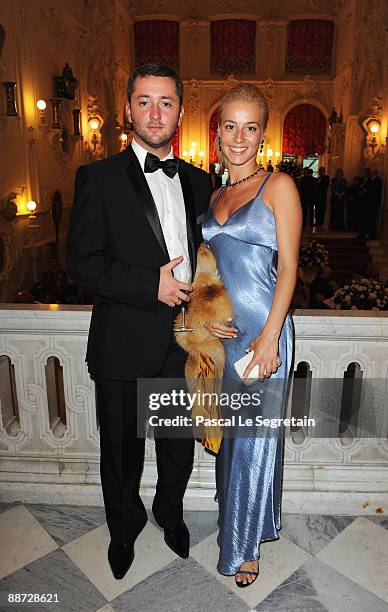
(320, 563)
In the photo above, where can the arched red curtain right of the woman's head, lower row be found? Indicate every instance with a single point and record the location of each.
(304, 131)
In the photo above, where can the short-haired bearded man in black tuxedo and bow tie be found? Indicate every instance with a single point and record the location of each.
(135, 218)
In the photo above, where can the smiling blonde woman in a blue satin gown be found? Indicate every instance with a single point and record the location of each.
(253, 227)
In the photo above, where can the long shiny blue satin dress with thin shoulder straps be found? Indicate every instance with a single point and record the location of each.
(249, 469)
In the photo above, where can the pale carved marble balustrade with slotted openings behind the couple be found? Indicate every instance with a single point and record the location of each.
(44, 460)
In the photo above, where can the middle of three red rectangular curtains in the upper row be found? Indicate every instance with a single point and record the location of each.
(233, 46)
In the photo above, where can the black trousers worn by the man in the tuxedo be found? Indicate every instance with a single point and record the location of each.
(122, 457)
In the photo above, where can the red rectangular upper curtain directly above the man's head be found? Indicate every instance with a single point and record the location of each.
(157, 41)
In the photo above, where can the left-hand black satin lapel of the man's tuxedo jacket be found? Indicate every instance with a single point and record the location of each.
(146, 201)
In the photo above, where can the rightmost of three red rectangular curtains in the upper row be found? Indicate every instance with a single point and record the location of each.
(309, 46)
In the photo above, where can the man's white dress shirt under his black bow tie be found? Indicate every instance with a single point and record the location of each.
(168, 197)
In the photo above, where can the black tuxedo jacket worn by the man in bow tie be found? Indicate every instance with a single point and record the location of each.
(115, 249)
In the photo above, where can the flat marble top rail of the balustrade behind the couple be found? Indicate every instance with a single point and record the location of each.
(49, 319)
